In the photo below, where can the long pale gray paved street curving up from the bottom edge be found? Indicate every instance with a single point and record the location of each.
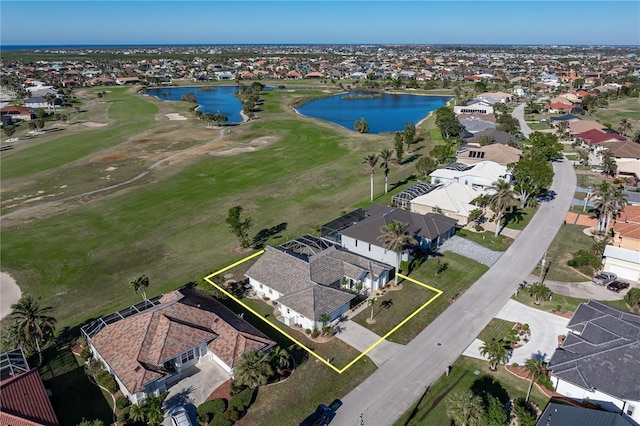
(388, 393)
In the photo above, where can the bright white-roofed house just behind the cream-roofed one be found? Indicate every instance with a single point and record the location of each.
(480, 175)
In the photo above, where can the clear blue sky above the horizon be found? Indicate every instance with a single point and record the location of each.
(553, 22)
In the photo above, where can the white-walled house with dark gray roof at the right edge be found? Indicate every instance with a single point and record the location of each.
(599, 359)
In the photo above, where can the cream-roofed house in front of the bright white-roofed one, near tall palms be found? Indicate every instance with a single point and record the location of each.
(453, 200)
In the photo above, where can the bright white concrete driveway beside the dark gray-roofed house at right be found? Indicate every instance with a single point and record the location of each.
(545, 329)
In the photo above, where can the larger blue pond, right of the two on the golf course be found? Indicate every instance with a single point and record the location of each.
(384, 113)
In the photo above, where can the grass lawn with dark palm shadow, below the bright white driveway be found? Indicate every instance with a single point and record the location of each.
(431, 407)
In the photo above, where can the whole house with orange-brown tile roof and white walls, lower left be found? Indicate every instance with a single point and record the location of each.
(147, 352)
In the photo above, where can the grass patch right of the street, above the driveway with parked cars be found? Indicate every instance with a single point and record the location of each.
(568, 240)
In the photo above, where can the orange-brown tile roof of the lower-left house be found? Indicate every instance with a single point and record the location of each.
(137, 347)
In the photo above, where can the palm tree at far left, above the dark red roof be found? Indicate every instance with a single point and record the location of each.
(32, 322)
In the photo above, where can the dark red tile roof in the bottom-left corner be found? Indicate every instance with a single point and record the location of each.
(24, 401)
